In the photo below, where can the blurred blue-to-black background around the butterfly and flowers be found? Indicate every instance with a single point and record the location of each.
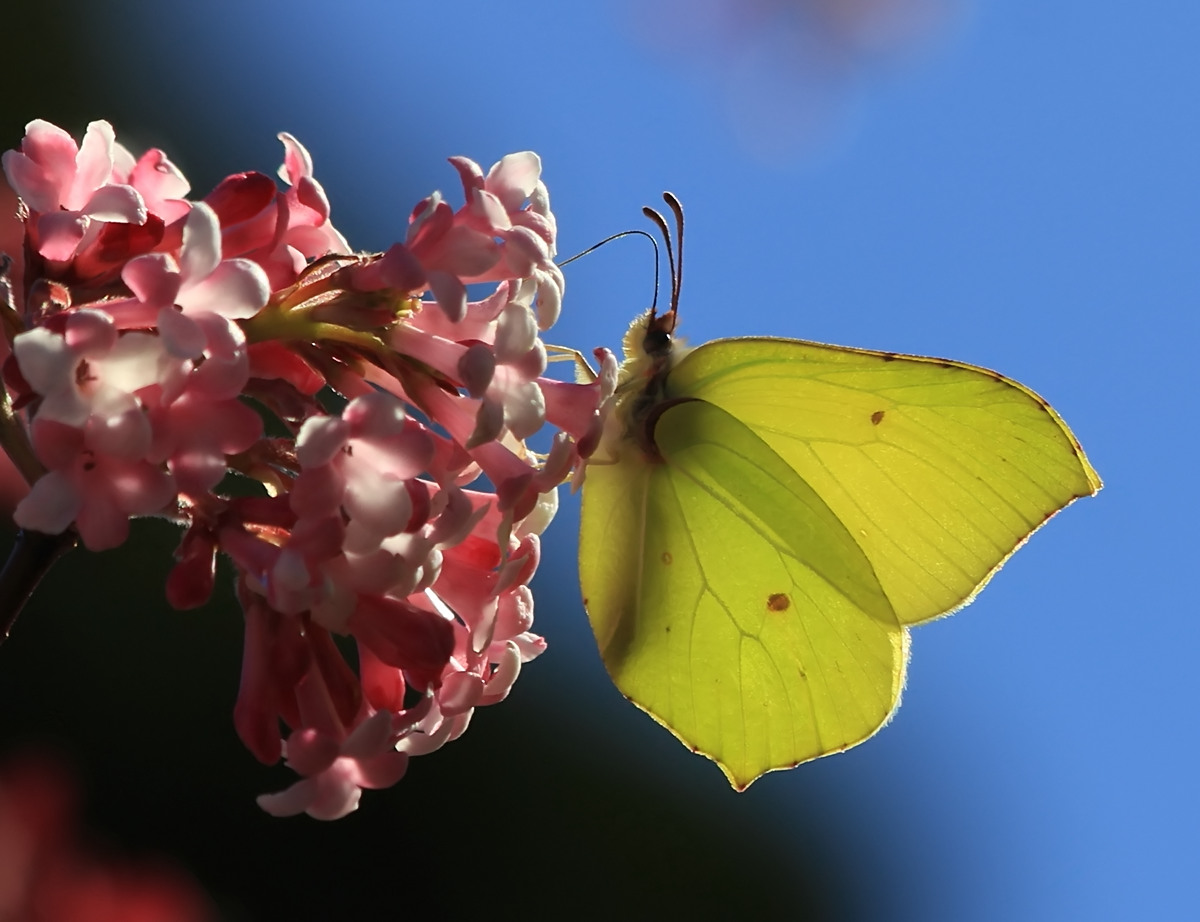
(1012, 185)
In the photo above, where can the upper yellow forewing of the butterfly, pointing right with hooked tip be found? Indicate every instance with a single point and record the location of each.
(939, 470)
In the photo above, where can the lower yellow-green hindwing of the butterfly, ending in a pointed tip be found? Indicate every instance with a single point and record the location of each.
(731, 603)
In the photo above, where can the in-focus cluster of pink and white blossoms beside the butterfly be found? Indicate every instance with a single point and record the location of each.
(146, 330)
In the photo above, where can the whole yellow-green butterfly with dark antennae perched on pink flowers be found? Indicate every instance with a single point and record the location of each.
(765, 519)
